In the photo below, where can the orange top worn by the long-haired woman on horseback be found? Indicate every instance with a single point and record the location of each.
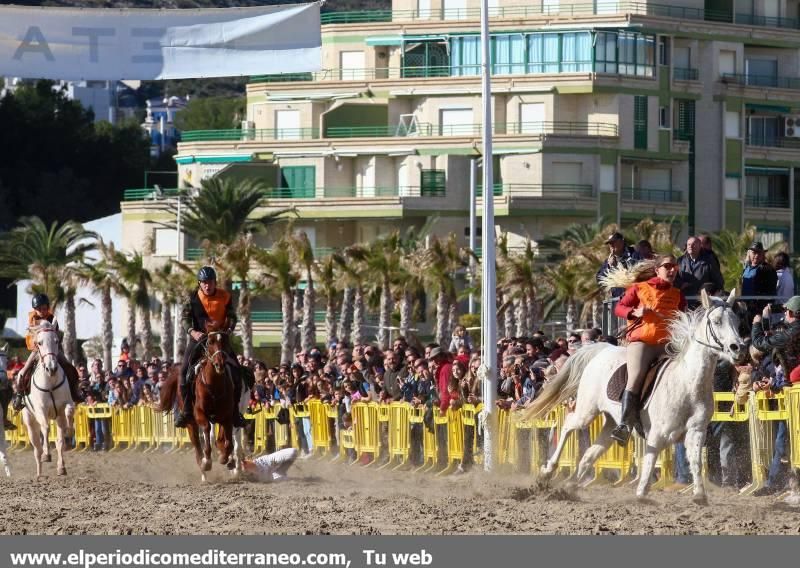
(662, 298)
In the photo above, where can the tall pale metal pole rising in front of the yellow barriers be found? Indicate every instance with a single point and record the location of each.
(489, 295)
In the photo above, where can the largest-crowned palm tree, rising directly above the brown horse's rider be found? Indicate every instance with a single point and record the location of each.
(223, 219)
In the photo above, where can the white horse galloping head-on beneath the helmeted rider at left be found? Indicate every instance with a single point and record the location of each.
(49, 398)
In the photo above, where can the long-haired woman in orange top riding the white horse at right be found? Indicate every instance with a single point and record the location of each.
(648, 306)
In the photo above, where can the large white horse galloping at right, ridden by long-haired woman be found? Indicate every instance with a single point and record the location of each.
(680, 407)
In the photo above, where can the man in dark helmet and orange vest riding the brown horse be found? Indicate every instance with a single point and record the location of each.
(205, 305)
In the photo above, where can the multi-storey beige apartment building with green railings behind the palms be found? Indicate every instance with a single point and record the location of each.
(606, 109)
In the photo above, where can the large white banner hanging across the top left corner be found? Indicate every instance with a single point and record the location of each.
(89, 44)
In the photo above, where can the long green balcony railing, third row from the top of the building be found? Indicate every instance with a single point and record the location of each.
(422, 129)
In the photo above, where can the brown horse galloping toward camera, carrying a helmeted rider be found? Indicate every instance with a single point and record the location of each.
(213, 403)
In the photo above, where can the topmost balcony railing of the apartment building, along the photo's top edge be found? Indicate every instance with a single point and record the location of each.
(599, 7)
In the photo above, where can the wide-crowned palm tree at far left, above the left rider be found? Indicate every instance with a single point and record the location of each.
(51, 257)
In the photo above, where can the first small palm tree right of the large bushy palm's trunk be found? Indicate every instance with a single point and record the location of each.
(278, 274)
